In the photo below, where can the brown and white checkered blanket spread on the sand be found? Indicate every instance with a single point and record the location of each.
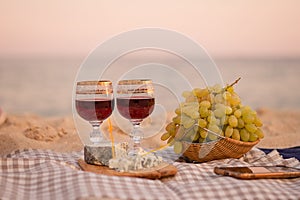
(42, 174)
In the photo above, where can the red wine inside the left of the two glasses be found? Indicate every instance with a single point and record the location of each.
(94, 109)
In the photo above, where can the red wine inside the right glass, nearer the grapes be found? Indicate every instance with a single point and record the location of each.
(135, 107)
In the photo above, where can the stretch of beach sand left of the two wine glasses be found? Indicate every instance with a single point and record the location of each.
(31, 131)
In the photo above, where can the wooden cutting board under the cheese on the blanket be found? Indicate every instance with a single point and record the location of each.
(161, 171)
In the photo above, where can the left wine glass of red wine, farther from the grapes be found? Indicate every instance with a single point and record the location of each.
(94, 103)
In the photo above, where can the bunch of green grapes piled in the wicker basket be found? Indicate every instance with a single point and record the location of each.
(211, 112)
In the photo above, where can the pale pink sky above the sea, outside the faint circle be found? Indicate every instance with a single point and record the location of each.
(225, 28)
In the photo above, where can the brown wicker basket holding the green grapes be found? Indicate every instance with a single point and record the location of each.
(219, 149)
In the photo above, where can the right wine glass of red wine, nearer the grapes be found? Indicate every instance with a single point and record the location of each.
(135, 101)
